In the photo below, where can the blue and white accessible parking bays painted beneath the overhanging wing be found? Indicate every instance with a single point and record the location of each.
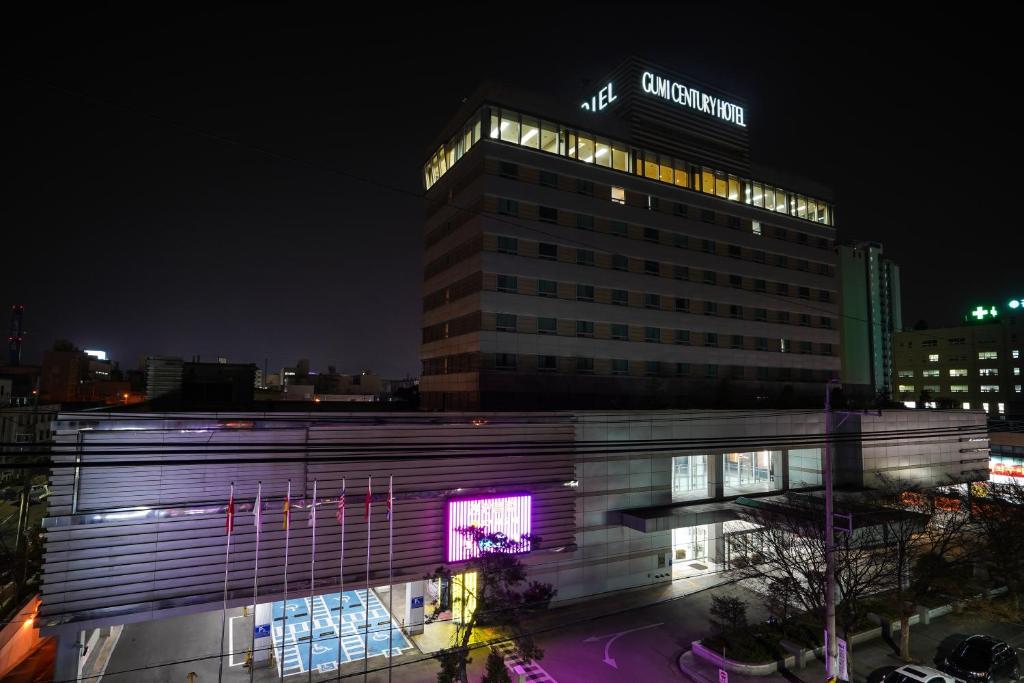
(338, 632)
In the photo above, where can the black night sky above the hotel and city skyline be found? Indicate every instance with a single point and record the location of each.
(184, 184)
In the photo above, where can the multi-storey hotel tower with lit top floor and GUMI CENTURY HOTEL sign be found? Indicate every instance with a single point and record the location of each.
(620, 254)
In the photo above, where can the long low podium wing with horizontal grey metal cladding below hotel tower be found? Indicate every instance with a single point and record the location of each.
(618, 500)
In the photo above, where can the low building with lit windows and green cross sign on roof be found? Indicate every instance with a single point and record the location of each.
(976, 366)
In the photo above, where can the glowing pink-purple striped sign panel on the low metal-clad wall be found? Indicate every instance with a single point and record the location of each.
(505, 515)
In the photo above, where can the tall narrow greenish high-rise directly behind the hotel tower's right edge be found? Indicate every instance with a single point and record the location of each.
(870, 298)
